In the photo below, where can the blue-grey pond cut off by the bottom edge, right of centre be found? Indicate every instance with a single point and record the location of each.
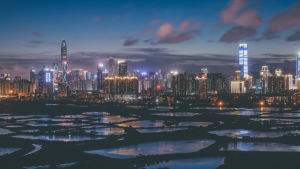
(191, 163)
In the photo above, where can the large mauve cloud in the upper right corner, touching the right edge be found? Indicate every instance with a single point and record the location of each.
(285, 21)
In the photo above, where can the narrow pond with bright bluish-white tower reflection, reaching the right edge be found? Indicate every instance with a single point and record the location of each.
(239, 133)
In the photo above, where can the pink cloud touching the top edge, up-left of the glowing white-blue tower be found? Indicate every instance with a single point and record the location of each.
(228, 15)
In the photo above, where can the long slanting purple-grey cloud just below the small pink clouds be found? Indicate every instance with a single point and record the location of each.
(181, 37)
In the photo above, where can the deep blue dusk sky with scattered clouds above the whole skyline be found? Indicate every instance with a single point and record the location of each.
(169, 35)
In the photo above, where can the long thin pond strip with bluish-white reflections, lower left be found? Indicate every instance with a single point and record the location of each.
(58, 138)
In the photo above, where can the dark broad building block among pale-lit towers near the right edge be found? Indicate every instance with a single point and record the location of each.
(275, 85)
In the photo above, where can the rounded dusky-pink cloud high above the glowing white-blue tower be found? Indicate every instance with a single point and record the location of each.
(249, 18)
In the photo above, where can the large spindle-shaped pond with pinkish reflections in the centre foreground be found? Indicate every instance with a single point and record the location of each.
(159, 147)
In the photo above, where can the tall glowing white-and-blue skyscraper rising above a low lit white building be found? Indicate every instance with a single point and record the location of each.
(243, 60)
